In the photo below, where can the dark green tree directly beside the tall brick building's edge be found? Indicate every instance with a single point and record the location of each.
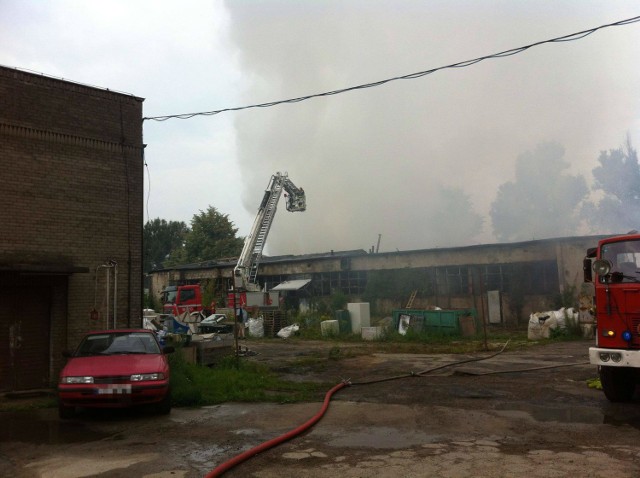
(159, 239)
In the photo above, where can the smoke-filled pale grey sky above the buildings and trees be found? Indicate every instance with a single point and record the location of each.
(371, 161)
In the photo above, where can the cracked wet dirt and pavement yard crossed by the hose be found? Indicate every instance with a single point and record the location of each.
(487, 418)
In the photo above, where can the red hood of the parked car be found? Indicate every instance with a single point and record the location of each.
(108, 365)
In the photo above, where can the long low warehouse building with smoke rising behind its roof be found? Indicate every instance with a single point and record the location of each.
(503, 282)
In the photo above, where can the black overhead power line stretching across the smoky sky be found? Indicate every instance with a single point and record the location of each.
(411, 76)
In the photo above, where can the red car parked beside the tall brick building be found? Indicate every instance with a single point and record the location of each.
(116, 368)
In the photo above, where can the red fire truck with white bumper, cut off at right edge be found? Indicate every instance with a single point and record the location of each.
(617, 302)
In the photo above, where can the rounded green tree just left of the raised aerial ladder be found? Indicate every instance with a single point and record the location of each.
(212, 236)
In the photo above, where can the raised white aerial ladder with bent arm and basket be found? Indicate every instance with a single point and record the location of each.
(245, 273)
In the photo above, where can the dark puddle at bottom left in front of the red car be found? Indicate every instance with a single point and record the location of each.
(28, 427)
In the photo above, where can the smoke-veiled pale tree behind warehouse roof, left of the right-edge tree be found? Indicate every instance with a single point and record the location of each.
(542, 201)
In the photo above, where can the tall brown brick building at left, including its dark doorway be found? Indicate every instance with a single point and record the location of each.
(72, 211)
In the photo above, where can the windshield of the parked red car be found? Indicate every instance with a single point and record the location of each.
(110, 343)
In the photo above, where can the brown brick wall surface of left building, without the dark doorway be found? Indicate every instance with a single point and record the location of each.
(72, 193)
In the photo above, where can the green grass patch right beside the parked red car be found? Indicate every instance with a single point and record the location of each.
(232, 380)
